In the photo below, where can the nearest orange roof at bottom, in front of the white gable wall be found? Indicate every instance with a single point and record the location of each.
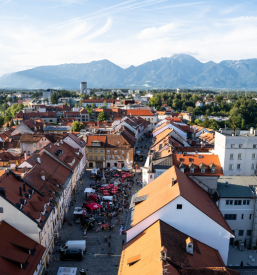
(142, 255)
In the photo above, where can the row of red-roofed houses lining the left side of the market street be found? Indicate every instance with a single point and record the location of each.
(36, 187)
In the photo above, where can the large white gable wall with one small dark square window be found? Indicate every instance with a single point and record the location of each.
(189, 220)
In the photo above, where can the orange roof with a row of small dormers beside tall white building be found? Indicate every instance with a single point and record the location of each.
(196, 160)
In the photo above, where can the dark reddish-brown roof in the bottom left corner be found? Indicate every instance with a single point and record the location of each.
(14, 251)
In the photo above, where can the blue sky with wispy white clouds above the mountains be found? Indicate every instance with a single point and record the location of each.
(51, 32)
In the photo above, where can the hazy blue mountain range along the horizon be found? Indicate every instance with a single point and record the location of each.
(180, 70)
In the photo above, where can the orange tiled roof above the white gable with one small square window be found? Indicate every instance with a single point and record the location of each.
(160, 192)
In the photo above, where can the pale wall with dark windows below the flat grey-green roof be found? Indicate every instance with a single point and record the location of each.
(245, 223)
